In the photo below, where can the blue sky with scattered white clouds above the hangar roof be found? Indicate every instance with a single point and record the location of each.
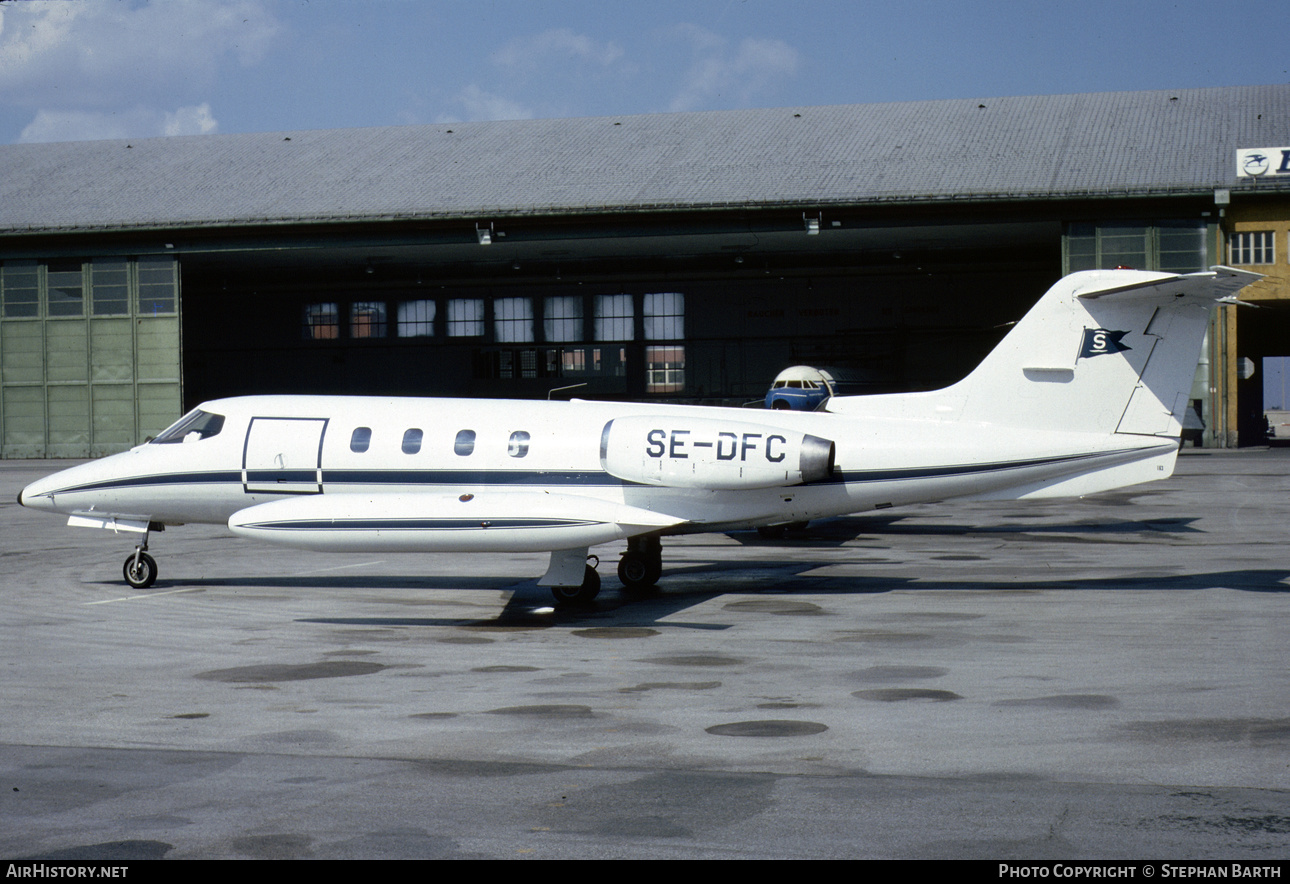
(103, 69)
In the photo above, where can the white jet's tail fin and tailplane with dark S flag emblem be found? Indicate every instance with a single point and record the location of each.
(1104, 352)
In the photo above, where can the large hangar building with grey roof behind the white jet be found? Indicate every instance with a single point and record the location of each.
(680, 257)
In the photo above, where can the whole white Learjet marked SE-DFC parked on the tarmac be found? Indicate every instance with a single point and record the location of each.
(1086, 394)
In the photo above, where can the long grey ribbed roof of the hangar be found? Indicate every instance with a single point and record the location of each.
(1104, 145)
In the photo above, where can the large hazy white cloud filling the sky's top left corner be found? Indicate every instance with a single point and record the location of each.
(96, 52)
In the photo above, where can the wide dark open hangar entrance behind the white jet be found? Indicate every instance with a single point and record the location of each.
(670, 308)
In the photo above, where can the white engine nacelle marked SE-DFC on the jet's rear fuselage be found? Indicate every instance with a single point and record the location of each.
(679, 452)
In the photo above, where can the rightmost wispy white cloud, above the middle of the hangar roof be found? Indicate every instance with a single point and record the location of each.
(737, 77)
